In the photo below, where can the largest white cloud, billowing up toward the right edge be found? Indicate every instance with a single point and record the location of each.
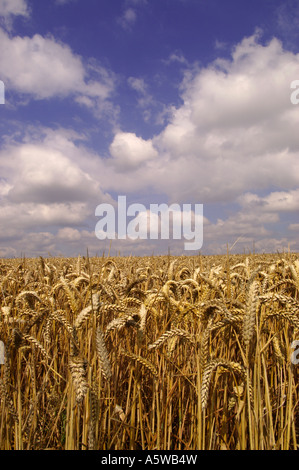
(235, 132)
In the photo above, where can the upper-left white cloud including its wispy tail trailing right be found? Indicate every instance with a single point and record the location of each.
(43, 68)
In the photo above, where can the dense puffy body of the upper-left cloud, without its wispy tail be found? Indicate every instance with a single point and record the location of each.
(40, 66)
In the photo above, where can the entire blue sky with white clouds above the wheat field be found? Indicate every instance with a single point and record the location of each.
(164, 101)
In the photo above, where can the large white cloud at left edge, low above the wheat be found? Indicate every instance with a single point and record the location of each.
(48, 180)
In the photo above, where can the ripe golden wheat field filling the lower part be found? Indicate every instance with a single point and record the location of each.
(156, 353)
